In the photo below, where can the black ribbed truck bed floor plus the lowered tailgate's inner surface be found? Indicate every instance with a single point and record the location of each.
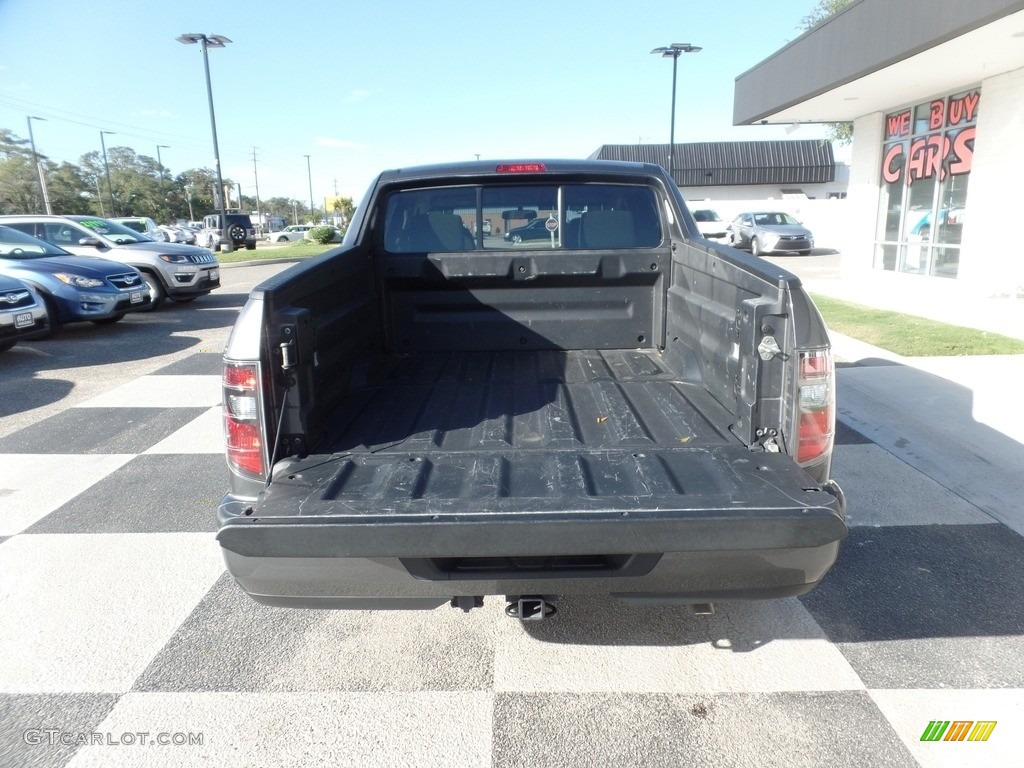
(485, 435)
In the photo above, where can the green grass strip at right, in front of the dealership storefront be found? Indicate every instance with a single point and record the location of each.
(910, 335)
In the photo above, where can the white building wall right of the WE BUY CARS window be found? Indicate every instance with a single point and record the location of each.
(992, 259)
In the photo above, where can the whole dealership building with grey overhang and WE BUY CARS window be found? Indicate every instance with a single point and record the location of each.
(935, 92)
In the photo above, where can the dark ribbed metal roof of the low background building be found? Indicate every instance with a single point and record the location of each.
(736, 163)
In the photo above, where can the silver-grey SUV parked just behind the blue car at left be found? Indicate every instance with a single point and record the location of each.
(172, 270)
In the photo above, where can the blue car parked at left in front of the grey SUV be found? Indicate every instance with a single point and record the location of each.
(73, 288)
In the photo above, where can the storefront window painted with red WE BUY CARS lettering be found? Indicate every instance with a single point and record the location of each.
(923, 197)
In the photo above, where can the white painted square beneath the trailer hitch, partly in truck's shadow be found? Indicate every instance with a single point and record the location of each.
(746, 647)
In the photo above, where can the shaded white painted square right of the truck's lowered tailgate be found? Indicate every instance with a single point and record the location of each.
(883, 490)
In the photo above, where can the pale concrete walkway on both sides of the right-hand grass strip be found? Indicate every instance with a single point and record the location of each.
(957, 420)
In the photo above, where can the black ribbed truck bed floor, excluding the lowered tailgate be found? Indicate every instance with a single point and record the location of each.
(527, 403)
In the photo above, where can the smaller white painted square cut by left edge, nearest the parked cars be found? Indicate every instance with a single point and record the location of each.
(32, 486)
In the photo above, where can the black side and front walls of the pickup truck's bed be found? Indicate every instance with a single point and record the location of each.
(353, 312)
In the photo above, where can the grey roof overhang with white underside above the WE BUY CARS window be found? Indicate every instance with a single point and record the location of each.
(876, 56)
